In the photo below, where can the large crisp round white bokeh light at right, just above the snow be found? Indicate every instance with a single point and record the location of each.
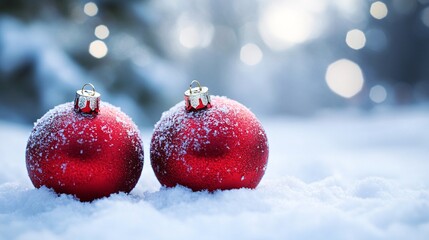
(344, 78)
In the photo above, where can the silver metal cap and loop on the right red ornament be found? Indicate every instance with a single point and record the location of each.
(197, 98)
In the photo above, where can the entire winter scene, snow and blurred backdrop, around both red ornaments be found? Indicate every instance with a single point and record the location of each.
(341, 87)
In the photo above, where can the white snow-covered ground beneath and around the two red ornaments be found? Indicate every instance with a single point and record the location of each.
(334, 176)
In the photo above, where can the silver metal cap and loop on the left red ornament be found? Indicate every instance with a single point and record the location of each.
(87, 101)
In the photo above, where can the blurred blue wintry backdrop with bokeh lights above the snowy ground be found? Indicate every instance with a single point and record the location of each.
(276, 56)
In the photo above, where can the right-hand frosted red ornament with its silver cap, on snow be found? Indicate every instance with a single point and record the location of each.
(214, 143)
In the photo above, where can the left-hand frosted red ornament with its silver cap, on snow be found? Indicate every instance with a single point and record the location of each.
(88, 148)
